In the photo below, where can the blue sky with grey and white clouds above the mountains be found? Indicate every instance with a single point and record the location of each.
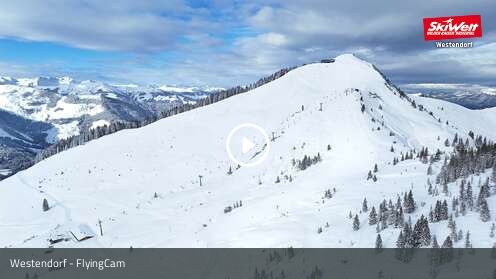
(226, 43)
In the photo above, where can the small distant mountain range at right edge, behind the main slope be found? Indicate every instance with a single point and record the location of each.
(471, 96)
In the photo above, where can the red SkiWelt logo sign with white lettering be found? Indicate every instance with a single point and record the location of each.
(452, 27)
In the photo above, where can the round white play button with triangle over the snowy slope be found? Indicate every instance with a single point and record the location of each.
(247, 145)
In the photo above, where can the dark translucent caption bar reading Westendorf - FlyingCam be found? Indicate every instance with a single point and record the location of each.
(247, 263)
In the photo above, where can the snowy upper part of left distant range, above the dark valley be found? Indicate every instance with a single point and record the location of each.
(70, 105)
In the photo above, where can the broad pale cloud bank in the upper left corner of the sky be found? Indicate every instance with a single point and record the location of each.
(140, 26)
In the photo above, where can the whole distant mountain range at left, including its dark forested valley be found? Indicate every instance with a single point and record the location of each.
(36, 112)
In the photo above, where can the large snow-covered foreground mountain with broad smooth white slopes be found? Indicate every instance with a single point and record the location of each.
(141, 187)
